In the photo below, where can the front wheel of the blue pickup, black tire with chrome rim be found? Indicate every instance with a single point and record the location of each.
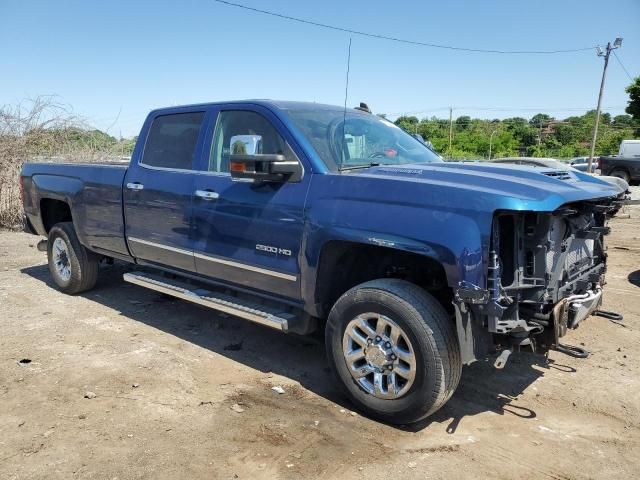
(429, 332)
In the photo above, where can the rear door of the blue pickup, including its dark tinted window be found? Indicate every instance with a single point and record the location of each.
(158, 189)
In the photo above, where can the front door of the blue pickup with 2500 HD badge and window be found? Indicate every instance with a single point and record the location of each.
(248, 233)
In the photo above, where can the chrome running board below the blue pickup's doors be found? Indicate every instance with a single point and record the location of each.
(214, 300)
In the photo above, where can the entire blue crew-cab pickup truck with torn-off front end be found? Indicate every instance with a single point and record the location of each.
(302, 217)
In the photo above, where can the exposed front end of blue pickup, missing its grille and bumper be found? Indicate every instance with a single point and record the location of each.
(545, 275)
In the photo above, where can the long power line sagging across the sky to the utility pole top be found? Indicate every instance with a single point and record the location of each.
(396, 39)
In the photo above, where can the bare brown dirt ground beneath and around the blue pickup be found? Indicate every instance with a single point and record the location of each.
(169, 376)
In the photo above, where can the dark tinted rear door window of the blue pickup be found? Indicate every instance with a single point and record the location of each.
(172, 139)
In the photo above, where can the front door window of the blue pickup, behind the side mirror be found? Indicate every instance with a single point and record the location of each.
(245, 132)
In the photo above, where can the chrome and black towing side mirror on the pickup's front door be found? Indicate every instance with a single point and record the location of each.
(264, 168)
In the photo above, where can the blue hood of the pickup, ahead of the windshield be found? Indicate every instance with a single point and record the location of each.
(510, 187)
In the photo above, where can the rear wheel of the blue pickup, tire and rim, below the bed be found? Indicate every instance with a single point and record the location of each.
(81, 271)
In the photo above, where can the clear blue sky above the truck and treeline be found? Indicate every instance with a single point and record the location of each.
(115, 56)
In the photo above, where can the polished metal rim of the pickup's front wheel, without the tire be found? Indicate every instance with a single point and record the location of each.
(379, 356)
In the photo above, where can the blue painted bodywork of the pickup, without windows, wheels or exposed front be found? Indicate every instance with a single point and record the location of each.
(441, 210)
